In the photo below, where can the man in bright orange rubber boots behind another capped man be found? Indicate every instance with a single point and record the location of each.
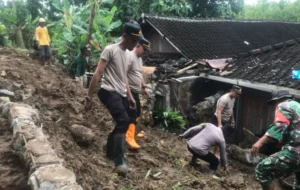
(136, 82)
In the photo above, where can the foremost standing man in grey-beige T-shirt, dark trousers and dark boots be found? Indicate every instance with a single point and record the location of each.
(114, 92)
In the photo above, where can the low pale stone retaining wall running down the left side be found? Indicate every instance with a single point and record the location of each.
(46, 169)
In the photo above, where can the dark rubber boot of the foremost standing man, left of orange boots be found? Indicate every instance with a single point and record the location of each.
(119, 153)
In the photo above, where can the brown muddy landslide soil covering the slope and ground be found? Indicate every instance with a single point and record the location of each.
(59, 100)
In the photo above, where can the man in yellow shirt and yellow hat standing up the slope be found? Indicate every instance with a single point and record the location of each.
(43, 41)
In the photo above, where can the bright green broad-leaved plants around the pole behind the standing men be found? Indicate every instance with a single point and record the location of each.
(71, 31)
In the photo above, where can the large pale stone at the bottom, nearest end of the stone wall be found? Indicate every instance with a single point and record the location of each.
(52, 177)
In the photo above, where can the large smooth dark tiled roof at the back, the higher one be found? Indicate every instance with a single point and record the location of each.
(212, 39)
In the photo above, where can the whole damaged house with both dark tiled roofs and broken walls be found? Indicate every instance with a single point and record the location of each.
(196, 58)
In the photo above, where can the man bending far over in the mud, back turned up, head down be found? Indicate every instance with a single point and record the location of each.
(200, 139)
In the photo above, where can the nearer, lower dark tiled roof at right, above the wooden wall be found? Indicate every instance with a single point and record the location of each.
(270, 65)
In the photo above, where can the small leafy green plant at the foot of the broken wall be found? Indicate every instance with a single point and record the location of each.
(170, 121)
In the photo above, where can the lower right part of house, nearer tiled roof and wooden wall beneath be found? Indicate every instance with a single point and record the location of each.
(261, 72)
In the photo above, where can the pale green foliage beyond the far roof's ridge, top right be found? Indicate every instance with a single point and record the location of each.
(282, 10)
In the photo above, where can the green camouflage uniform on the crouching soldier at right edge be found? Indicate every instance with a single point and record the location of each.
(286, 129)
